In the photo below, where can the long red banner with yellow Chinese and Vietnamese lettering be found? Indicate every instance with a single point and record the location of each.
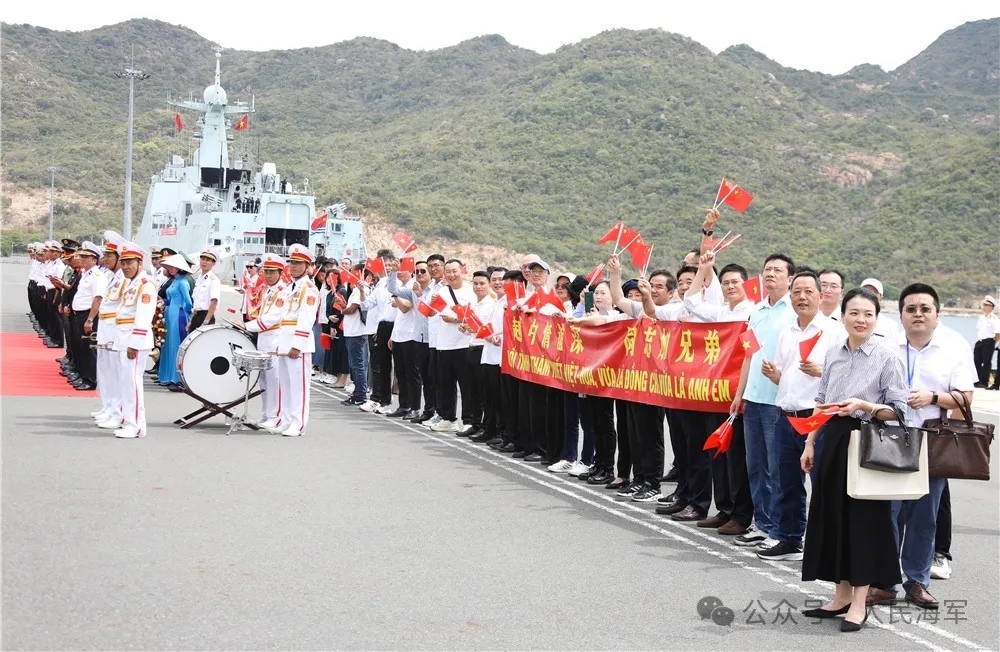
(683, 365)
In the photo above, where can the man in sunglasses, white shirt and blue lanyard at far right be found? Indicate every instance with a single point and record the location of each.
(938, 365)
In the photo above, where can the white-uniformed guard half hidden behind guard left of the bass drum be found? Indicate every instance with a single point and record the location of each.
(110, 414)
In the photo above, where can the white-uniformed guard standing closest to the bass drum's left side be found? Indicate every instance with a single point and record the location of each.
(134, 339)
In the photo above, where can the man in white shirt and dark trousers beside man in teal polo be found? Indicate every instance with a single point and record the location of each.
(798, 379)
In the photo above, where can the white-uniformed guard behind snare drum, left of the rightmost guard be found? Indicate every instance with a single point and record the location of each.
(268, 326)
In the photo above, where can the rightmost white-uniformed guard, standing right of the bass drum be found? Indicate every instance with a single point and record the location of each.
(296, 344)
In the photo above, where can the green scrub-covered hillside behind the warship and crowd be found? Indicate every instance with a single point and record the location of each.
(892, 174)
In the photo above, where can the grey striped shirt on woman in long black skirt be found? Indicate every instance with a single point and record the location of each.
(872, 372)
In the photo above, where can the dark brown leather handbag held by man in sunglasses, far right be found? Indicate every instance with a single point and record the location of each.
(959, 450)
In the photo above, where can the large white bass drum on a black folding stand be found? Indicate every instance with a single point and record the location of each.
(204, 361)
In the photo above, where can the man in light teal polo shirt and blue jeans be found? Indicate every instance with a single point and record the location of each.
(758, 394)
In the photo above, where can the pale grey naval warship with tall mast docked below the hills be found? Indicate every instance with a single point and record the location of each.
(241, 209)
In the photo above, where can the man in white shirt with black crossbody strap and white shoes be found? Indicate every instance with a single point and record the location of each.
(453, 352)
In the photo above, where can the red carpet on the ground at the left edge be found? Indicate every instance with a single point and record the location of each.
(28, 368)
